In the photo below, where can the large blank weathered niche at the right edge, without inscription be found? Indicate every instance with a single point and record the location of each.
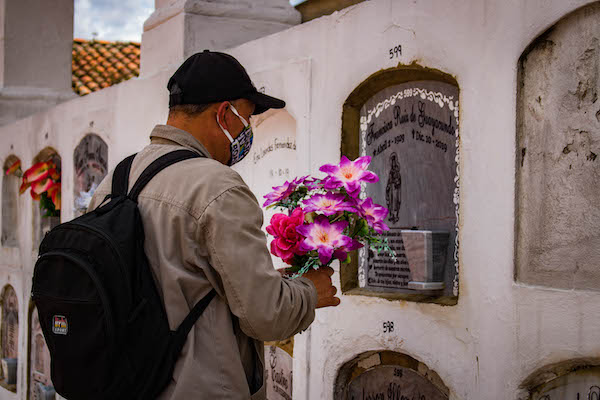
(558, 212)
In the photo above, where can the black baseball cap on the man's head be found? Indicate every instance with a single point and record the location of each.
(211, 77)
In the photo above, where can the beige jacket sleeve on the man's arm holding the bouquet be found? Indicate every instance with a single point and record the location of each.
(268, 306)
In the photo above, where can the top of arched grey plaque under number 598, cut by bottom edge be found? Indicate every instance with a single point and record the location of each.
(390, 382)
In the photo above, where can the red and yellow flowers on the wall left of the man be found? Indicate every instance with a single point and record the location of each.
(44, 180)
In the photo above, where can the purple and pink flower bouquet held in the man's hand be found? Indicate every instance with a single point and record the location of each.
(326, 218)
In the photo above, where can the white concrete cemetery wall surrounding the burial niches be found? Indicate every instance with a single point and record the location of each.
(500, 331)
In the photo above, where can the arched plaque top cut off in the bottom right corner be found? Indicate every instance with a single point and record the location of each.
(579, 385)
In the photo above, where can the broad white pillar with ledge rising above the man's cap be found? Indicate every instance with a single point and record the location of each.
(179, 28)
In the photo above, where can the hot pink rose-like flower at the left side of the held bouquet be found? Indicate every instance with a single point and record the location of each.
(287, 240)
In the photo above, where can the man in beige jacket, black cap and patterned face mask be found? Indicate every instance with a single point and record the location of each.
(203, 230)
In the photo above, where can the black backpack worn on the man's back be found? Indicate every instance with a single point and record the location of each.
(99, 308)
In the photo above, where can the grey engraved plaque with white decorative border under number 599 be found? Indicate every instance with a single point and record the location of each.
(411, 132)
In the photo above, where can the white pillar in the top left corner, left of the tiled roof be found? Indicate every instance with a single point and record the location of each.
(36, 41)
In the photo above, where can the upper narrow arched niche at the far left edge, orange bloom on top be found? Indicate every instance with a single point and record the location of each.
(10, 192)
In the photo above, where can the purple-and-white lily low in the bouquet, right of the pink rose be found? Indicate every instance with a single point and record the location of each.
(324, 237)
